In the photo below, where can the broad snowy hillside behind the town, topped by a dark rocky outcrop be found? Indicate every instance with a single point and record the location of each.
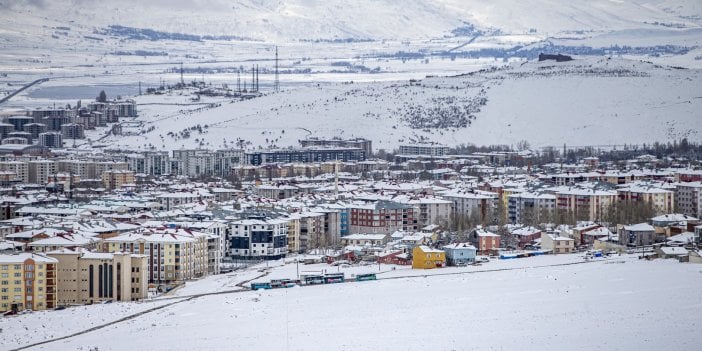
(582, 102)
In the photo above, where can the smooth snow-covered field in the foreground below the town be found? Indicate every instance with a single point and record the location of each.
(615, 304)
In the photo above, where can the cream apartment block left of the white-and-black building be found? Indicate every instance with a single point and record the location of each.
(173, 254)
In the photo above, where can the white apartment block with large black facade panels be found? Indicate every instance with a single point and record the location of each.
(258, 238)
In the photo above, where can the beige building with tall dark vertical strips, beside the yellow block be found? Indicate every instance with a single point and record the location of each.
(90, 277)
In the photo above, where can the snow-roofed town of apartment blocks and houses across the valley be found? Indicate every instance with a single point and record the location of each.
(89, 226)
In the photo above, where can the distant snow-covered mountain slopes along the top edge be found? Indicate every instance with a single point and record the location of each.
(284, 20)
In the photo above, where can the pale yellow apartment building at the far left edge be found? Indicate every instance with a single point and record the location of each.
(27, 281)
